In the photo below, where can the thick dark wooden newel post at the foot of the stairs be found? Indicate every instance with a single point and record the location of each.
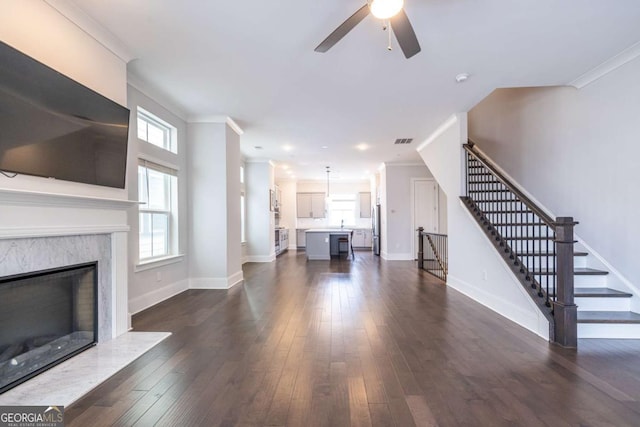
(564, 308)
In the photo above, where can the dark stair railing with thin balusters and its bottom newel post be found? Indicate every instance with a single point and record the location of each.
(537, 247)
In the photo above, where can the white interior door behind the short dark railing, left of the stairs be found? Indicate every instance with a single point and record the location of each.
(425, 208)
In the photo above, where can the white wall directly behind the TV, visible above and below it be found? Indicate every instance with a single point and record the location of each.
(38, 30)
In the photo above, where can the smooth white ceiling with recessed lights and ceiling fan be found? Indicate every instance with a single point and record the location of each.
(254, 61)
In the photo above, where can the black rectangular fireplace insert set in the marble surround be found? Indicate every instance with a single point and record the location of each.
(46, 317)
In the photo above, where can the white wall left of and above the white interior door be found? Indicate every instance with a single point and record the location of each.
(397, 226)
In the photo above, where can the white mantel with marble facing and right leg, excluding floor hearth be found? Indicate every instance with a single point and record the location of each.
(41, 230)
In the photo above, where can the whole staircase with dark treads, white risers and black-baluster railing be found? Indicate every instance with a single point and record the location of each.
(530, 242)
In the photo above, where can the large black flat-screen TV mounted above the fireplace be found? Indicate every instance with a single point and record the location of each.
(54, 127)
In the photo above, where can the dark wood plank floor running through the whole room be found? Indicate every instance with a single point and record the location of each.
(357, 343)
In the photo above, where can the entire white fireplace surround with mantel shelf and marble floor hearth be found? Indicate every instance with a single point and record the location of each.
(39, 231)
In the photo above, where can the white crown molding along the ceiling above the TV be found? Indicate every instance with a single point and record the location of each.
(91, 27)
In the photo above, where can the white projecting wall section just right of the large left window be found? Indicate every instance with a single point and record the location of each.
(215, 254)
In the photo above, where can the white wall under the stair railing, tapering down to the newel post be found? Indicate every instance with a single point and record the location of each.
(475, 267)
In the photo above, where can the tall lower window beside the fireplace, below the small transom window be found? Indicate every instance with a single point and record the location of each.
(157, 191)
